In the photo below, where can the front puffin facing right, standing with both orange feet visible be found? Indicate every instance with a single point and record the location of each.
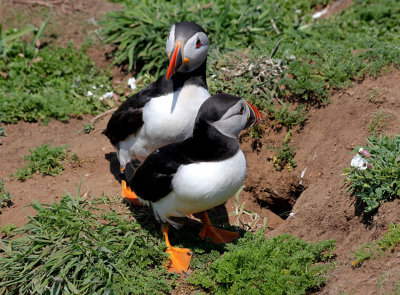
(197, 174)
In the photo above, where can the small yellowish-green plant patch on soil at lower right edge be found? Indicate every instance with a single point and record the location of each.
(375, 249)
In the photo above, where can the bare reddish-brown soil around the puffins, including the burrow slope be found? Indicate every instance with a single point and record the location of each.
(318, 209)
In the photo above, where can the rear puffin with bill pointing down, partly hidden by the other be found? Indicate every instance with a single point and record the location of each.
(164, 112)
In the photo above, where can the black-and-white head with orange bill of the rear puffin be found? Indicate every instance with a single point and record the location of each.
(187, 47)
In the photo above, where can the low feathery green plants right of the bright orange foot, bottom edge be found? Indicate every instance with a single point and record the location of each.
(281, 265)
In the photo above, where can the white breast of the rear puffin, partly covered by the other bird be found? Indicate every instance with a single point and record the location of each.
(167, 119)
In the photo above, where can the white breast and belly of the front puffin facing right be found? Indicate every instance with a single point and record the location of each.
(202, 186)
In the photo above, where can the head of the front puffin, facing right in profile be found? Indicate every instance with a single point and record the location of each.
(229, 114)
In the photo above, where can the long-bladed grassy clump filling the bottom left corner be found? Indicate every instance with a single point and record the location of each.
(74, 247)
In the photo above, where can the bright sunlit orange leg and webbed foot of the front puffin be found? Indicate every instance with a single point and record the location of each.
(179, 259)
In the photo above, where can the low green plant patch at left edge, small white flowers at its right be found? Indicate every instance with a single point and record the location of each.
(50, 82)
